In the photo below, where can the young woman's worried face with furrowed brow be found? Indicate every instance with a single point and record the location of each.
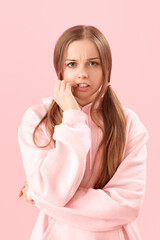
(82, 65)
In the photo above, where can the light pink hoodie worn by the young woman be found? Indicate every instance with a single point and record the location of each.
(58, 178)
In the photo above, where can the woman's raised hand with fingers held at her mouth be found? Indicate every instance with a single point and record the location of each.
(64, 97)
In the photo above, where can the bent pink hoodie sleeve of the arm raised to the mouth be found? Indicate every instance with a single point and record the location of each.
(56, 173)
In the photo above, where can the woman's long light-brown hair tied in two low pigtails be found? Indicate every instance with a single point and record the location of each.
(110, 108)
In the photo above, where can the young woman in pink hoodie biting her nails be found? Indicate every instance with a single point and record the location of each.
(84, 153)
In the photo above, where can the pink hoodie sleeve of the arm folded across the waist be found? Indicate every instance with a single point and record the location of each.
(118, 203)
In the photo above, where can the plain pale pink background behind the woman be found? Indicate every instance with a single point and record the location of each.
(29, 30)
